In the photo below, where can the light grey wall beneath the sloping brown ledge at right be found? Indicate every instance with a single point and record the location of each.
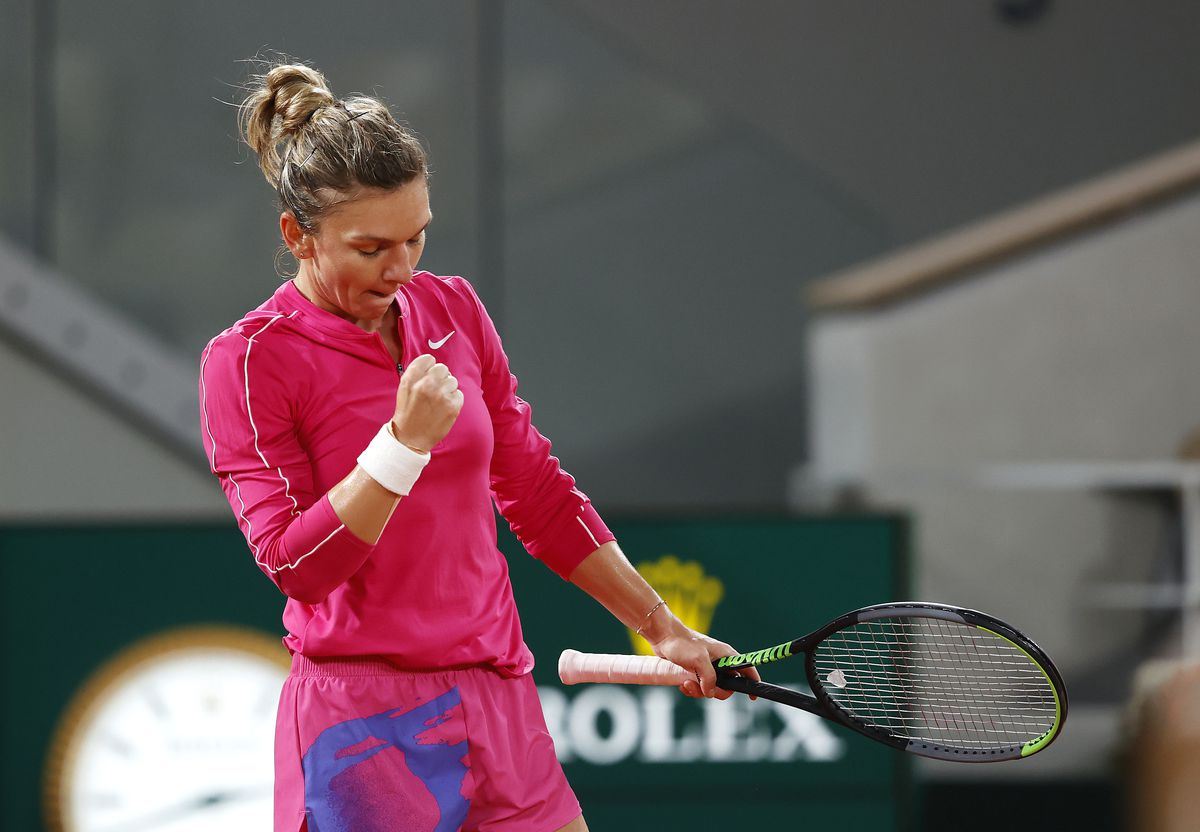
(1082, 352)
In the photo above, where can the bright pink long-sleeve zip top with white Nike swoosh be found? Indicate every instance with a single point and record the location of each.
(290, 398)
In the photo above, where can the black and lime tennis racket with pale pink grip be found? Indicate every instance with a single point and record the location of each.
(932, 680)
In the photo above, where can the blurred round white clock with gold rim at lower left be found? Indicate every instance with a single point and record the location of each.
(175, 734)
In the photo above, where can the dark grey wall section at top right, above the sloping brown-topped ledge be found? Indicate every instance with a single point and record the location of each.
(927, 113)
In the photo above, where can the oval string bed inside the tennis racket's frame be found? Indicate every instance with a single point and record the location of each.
(938, 681)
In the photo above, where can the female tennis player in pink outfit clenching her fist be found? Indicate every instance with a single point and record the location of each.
(362, 422)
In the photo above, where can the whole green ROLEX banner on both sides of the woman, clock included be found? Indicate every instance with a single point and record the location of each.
(104, 614)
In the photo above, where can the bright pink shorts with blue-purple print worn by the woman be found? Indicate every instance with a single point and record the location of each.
(363, 746)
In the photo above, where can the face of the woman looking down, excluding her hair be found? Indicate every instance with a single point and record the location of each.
(363, 252)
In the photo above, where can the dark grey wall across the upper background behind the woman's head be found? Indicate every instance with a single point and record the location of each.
(639, 190)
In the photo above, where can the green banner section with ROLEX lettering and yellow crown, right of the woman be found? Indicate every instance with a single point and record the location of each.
(753, 583)
